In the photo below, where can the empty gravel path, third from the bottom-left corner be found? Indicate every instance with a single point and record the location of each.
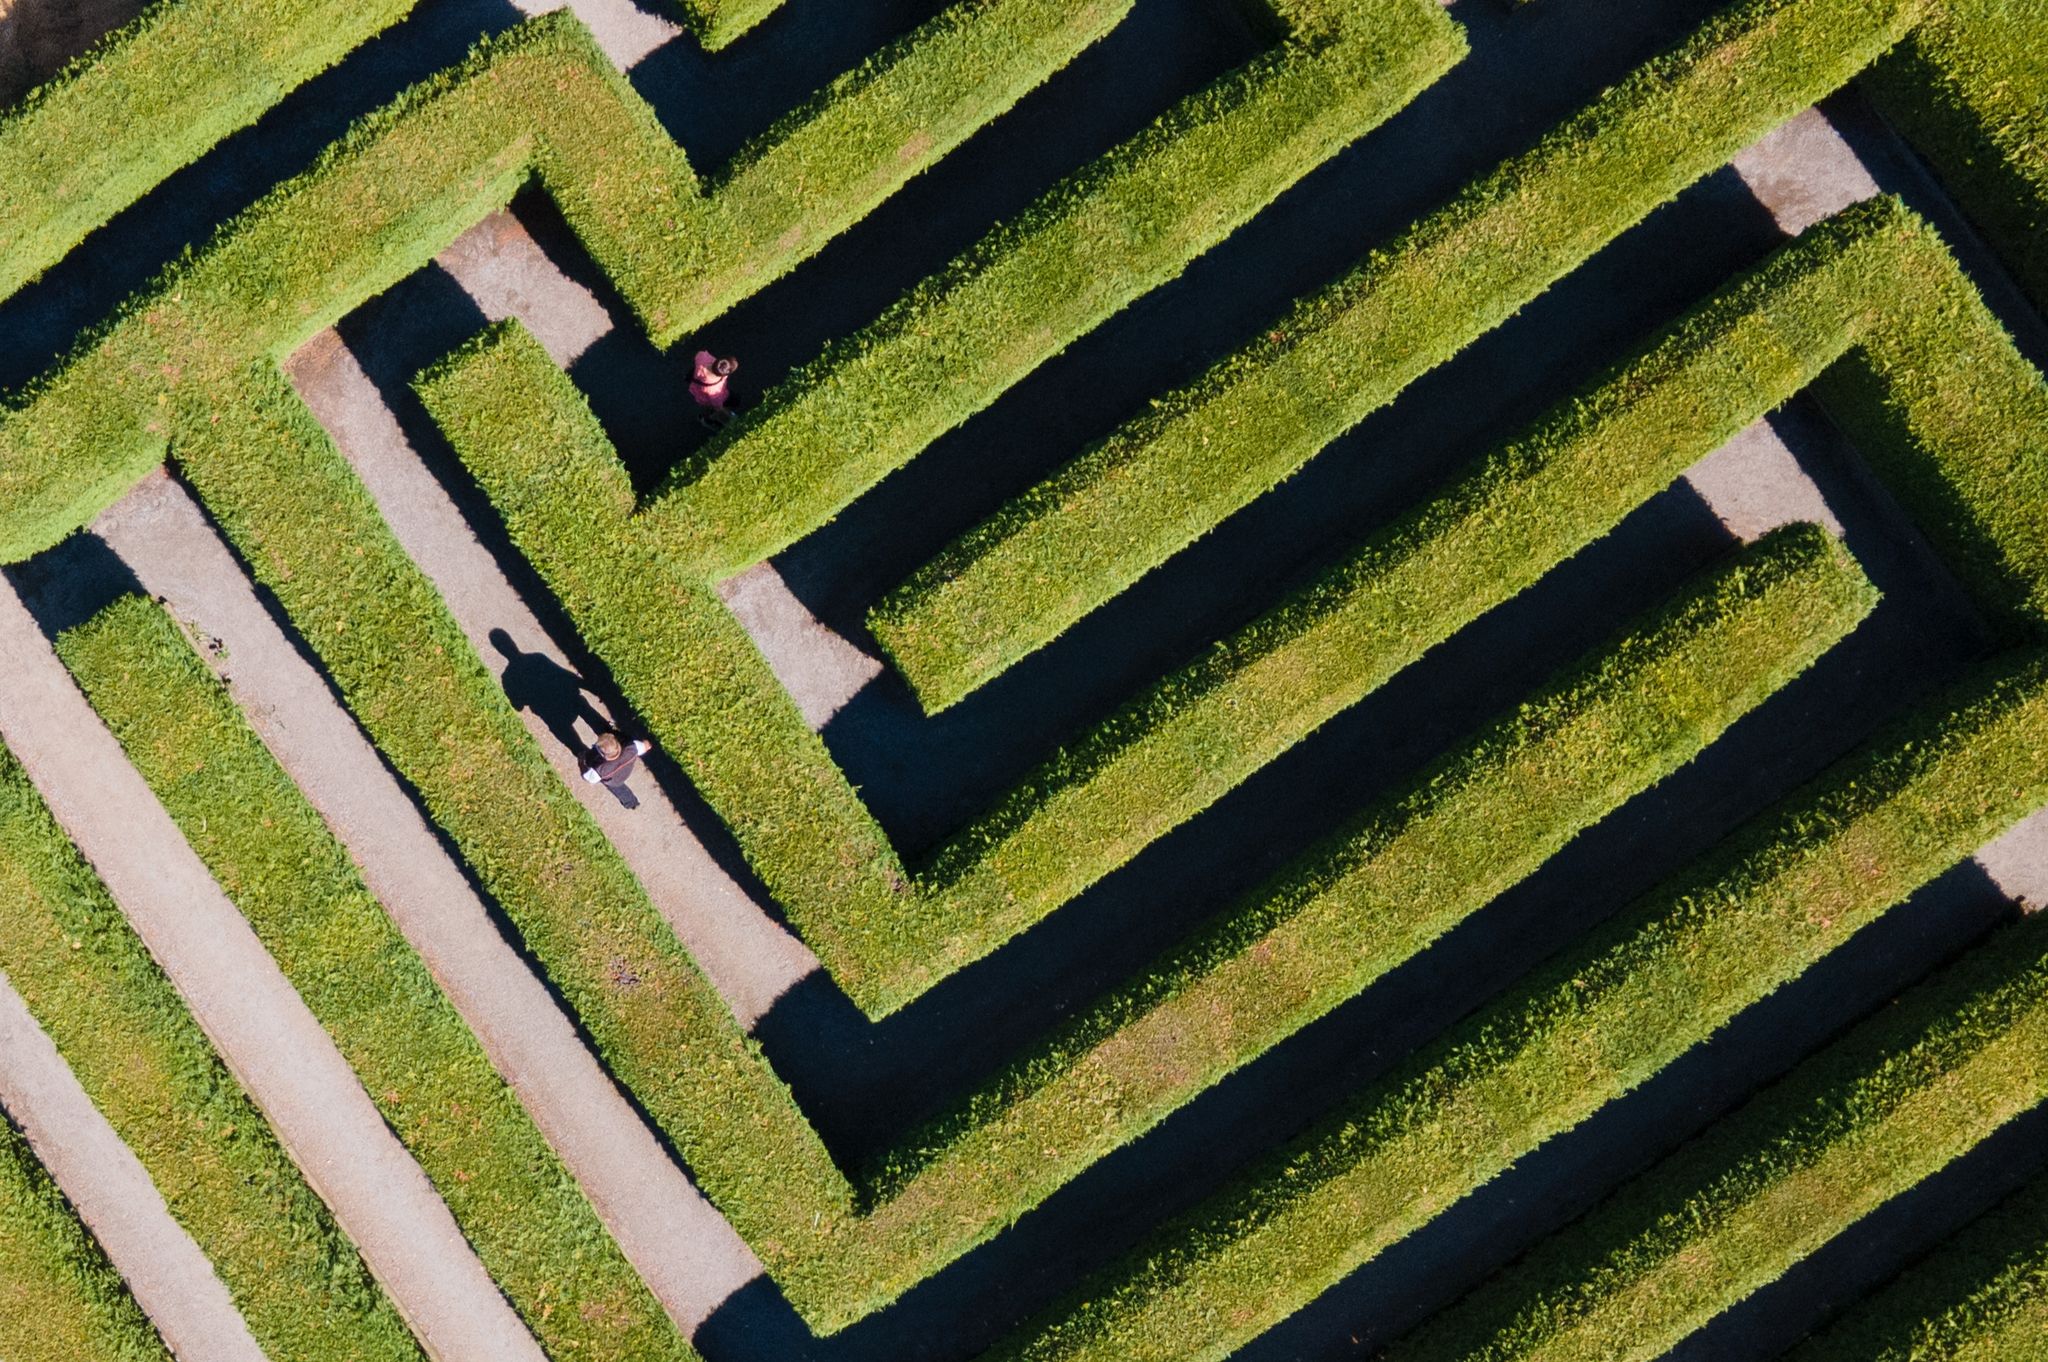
(679, 1244)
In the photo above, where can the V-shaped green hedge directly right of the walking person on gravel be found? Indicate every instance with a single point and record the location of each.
(888, 933)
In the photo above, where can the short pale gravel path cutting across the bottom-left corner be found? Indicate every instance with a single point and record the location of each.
(114, 1195)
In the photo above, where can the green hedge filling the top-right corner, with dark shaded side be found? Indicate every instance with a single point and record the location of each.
(1971, 91)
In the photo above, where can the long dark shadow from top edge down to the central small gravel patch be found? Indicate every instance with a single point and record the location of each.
(1525, 73)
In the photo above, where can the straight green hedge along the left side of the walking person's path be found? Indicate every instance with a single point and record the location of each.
(310, 531)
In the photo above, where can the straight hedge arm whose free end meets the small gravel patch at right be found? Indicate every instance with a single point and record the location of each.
(1383, 888)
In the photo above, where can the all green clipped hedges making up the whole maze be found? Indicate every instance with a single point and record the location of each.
(1910, 329)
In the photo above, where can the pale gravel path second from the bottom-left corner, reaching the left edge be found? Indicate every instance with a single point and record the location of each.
(257, 1023)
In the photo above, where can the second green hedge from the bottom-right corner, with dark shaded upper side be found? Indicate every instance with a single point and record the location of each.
(1865, 1121)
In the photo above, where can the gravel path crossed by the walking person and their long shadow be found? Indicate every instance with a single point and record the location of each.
(746, 953)
